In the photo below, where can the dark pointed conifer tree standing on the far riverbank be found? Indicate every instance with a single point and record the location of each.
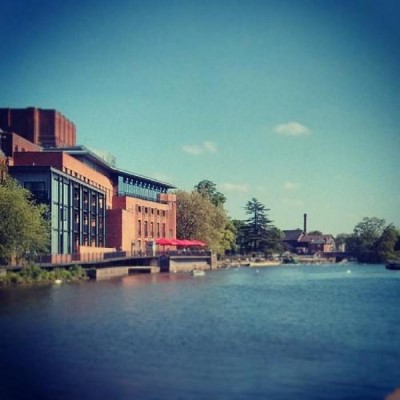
(255, 231)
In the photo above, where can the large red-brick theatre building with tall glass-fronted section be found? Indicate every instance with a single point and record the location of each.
(93, 205)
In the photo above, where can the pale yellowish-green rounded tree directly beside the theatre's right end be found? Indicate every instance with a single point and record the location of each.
(198, 218)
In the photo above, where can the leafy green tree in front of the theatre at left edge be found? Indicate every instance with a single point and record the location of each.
(23, 226)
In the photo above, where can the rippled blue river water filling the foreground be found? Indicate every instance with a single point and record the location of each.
(288, 332)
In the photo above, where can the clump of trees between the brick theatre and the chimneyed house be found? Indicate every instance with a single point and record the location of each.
(201, 214)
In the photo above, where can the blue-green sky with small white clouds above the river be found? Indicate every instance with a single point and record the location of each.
(295, 103)
